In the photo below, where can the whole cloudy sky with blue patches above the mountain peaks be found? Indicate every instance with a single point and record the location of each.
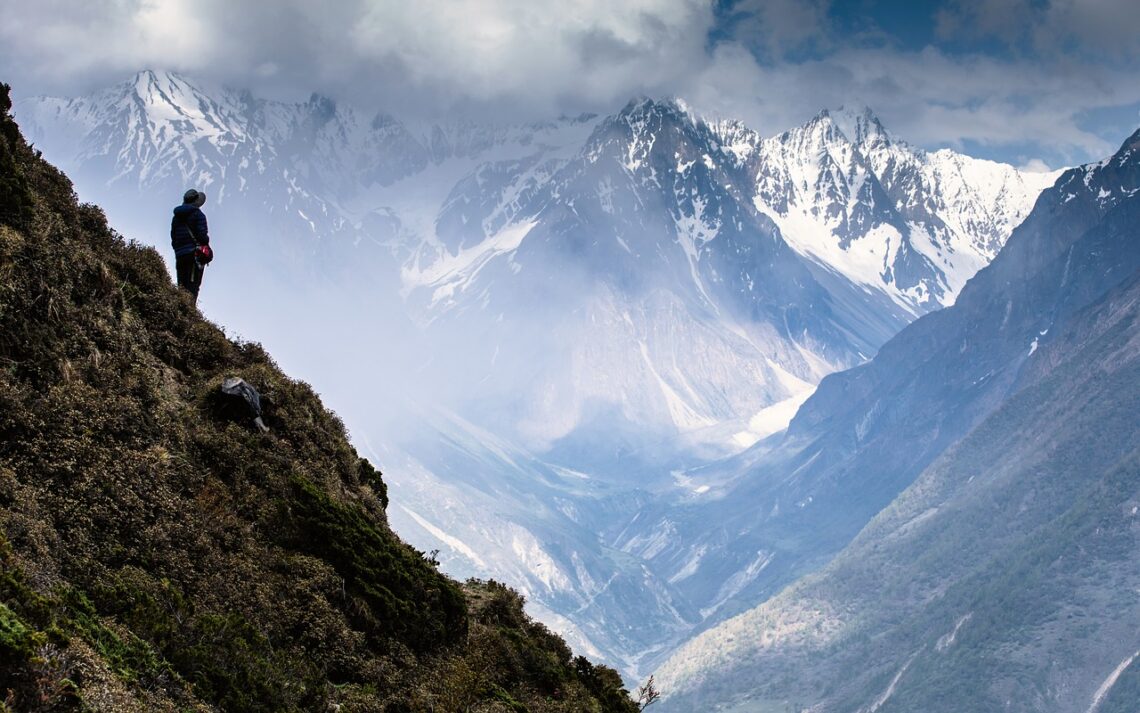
(1033, 83)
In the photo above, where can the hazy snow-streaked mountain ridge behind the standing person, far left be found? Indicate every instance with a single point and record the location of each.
(302, 172)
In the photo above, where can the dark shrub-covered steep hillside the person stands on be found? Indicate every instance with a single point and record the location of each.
(159, 554)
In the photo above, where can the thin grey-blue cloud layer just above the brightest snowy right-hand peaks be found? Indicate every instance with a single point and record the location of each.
(930, 98)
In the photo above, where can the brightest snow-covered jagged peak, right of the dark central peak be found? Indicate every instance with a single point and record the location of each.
(914, 224)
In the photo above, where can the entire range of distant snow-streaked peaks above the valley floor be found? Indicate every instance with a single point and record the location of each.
(779, 261)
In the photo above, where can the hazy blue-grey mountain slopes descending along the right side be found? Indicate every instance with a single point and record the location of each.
(1005, 573)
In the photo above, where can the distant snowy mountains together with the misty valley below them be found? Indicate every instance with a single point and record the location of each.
(610, 301)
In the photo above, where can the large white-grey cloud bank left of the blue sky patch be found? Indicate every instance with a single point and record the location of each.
(429, 54)
